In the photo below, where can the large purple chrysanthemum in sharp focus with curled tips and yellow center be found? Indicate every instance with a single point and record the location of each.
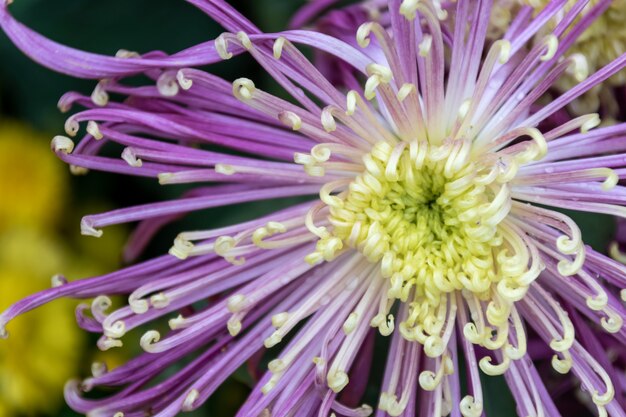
(434, 217)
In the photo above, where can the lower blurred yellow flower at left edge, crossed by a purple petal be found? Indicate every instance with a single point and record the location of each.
(46, 344)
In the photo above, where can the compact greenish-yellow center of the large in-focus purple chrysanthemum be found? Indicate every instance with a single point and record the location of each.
(416, 213)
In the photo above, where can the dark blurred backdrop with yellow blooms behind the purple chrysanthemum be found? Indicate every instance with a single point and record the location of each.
(41, 203)
